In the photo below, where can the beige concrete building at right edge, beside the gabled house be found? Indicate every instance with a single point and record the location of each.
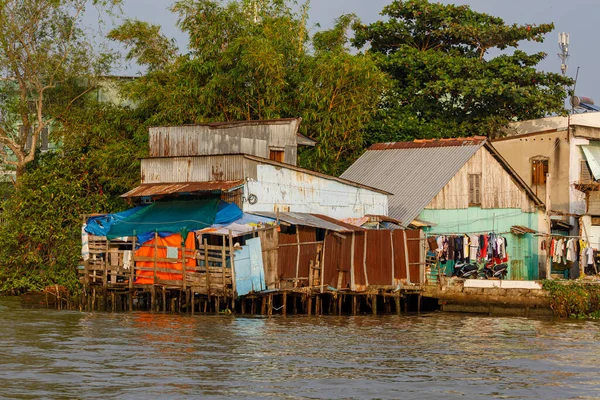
(568, 149)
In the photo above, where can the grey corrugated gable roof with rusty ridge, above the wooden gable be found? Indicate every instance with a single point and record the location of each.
(415, 172)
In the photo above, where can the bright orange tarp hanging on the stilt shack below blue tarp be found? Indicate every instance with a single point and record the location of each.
(147, 250)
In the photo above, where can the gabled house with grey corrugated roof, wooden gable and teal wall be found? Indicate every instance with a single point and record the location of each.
(461, 186)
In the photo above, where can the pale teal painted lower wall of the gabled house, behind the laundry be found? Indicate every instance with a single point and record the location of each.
(523, 251)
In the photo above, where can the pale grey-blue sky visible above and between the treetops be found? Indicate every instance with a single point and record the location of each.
(577, 17)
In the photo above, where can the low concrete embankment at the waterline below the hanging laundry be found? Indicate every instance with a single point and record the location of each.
(522, 298)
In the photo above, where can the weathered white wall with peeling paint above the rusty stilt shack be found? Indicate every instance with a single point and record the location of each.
(280, 188)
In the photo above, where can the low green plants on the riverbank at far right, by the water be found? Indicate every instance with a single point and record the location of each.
(574, 299)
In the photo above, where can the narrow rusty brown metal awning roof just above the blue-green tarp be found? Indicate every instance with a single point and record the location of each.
(157, 189)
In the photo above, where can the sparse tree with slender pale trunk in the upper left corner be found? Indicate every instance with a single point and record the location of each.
(43, 47)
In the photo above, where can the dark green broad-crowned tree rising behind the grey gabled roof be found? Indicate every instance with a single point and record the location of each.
(445, 83)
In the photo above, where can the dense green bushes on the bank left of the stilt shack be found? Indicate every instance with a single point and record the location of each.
(40, 241)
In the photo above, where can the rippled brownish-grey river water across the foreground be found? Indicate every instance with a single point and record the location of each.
(67, 354)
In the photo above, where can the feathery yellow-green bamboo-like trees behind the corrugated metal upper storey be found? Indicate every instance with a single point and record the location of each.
(252, 60)
